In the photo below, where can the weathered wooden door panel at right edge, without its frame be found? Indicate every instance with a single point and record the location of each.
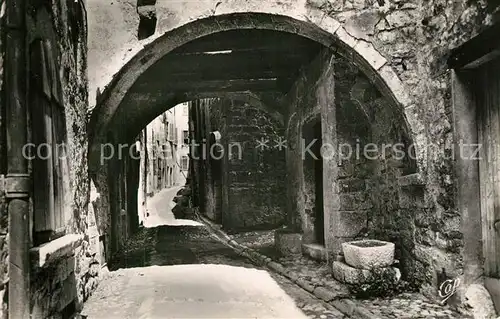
(487, 97)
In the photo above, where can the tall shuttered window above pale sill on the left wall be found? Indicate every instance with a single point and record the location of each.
(49, 135)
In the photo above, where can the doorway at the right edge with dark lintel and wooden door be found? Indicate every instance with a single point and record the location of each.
(476, 109)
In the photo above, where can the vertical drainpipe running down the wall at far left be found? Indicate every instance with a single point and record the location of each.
(17, 184)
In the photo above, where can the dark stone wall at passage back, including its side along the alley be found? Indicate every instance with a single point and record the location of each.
(255, 176)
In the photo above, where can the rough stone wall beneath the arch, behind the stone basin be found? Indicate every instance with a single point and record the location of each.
(368, 134)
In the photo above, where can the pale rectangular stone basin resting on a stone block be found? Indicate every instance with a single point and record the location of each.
(368, 254)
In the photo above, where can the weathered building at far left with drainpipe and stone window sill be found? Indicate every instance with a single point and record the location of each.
(49, 264)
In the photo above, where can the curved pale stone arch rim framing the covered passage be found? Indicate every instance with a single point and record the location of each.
(304, 21)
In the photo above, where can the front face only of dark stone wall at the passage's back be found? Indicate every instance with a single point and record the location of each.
(256, 179)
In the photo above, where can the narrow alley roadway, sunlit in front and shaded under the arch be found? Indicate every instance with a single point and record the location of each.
(181, 270)
